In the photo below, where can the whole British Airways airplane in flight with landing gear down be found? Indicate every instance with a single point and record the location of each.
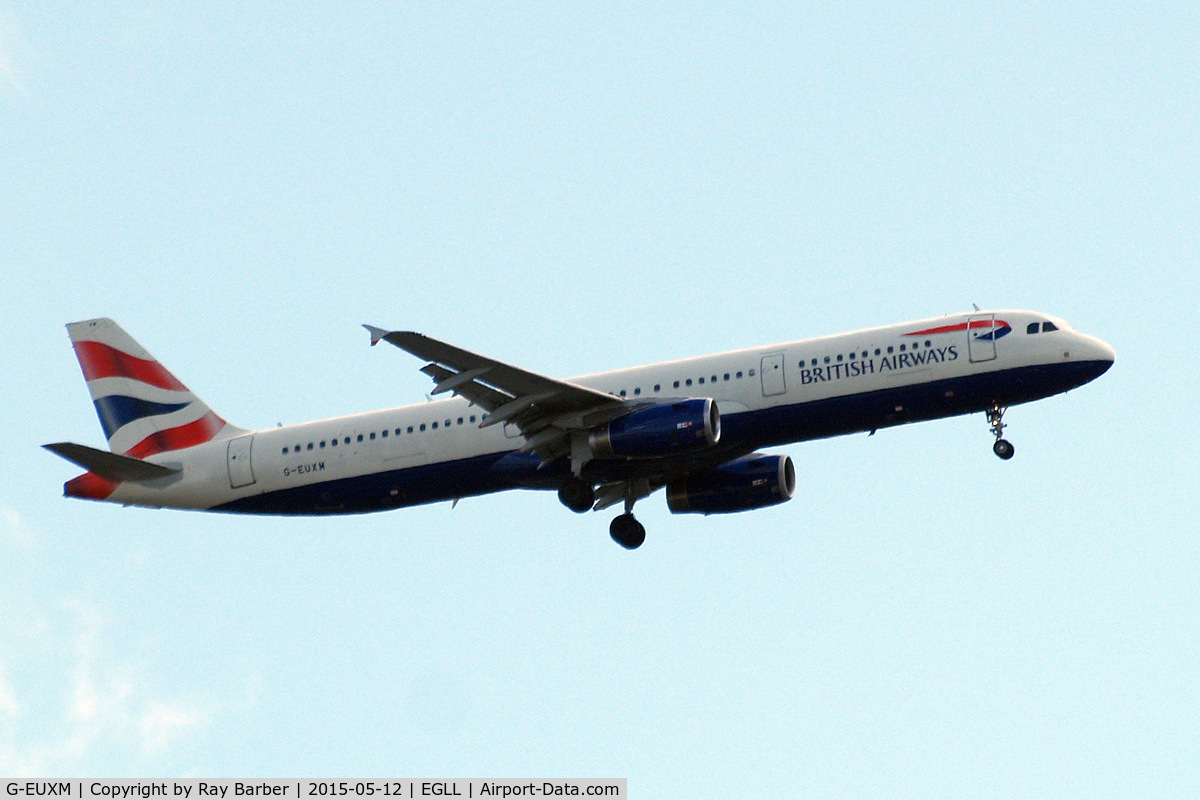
(695, 428)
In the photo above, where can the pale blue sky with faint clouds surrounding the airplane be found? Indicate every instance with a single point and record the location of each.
(579, 189)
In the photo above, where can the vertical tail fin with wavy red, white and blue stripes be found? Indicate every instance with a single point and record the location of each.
(142, 407)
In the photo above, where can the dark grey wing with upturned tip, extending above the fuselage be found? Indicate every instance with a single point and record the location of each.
(545, 410)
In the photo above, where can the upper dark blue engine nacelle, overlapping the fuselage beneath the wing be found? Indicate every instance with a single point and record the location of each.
(656, 431)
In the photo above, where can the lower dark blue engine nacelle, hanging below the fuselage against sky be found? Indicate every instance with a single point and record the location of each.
(753, 482)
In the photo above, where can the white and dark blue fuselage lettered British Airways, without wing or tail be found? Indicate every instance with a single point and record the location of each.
(767, 396)
